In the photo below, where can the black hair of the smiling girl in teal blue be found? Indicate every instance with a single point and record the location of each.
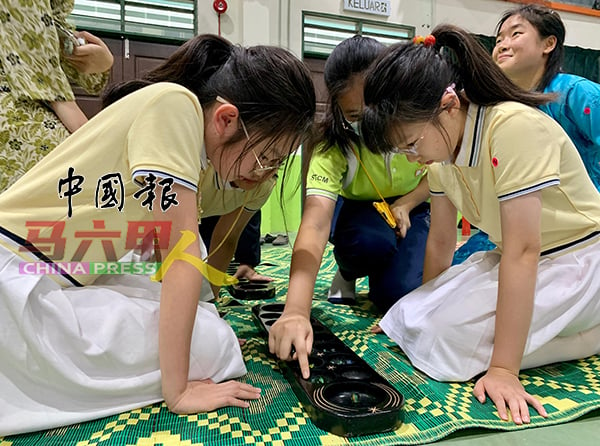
(548, 23)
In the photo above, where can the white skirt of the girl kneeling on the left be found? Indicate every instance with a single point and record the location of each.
(74, 354)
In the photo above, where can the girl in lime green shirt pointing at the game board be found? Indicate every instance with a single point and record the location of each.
(364, 243)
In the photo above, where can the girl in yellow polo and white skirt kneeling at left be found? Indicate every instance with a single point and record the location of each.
(199, 135)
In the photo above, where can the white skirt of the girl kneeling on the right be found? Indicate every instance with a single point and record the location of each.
(446, 326)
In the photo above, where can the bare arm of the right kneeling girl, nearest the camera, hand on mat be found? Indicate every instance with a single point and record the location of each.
(521, 241)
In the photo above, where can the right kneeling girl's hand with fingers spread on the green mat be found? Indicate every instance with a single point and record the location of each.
(504, 388)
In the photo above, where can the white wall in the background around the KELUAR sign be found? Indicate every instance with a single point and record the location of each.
(279, 22)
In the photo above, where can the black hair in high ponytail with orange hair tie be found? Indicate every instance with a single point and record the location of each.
(407, 83)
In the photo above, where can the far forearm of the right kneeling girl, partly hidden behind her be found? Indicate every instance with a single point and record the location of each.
(441, 241)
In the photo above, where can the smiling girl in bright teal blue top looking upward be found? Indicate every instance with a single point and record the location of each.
(529, 49)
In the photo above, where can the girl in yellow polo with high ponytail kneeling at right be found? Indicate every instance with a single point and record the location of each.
(512, 171)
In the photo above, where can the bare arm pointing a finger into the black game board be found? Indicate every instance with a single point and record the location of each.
(293, 327)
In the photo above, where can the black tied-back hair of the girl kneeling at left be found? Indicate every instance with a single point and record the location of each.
(271, 88)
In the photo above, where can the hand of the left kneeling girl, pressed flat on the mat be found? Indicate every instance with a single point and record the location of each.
(205, 396)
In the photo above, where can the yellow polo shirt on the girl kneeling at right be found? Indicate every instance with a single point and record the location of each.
(509, 150)
